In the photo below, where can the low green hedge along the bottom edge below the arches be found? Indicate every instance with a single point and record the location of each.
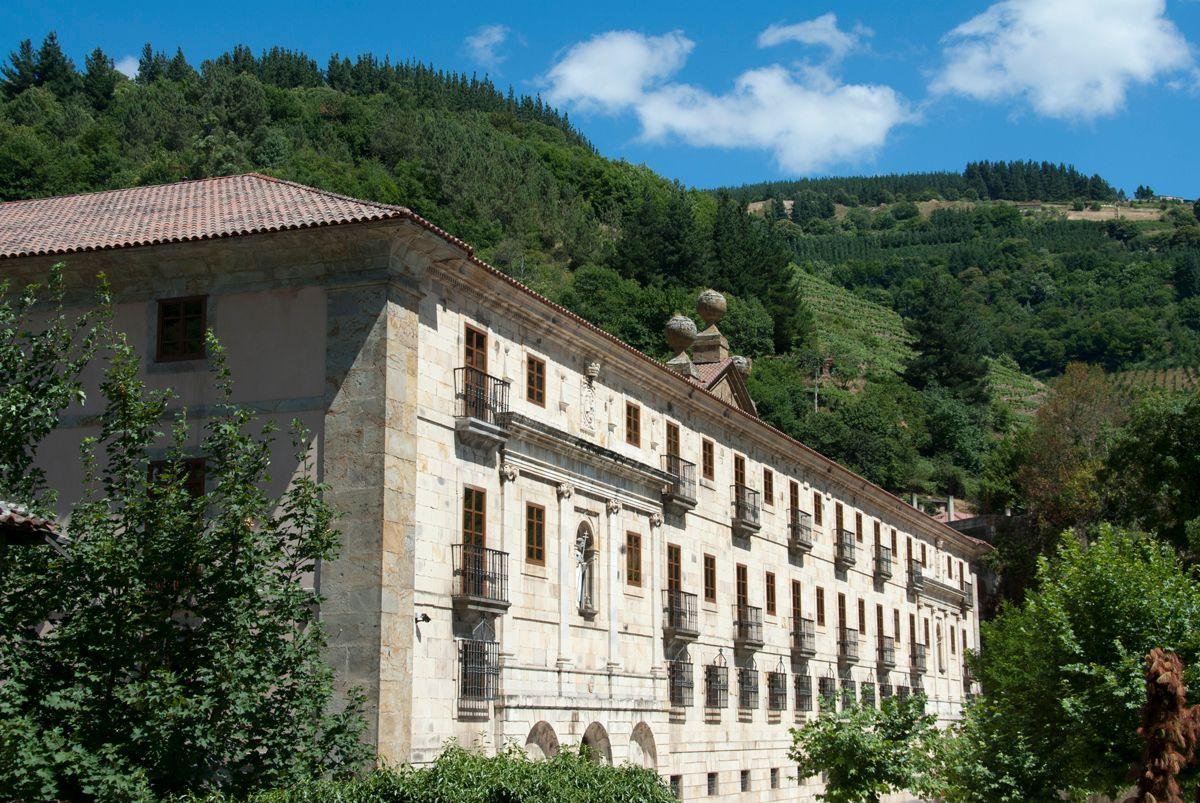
(463, 776)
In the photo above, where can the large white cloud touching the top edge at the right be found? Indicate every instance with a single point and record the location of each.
(1071, 59)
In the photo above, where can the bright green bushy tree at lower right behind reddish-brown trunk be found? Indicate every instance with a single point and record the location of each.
(1064, 672)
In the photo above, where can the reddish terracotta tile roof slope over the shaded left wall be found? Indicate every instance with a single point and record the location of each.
(190, 211)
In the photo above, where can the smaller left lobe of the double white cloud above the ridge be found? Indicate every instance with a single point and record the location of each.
(613, 71)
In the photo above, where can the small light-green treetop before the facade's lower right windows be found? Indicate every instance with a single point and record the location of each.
(866, 753)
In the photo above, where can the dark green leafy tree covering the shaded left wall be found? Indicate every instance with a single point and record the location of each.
(185, 655)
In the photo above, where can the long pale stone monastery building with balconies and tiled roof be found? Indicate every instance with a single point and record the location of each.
(549, 538)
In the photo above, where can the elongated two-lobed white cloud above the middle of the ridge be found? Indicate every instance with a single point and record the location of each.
(806, 117)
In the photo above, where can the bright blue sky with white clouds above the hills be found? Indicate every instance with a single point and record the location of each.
(718, 94)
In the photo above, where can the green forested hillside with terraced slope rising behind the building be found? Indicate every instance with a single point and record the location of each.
(920, 326)
